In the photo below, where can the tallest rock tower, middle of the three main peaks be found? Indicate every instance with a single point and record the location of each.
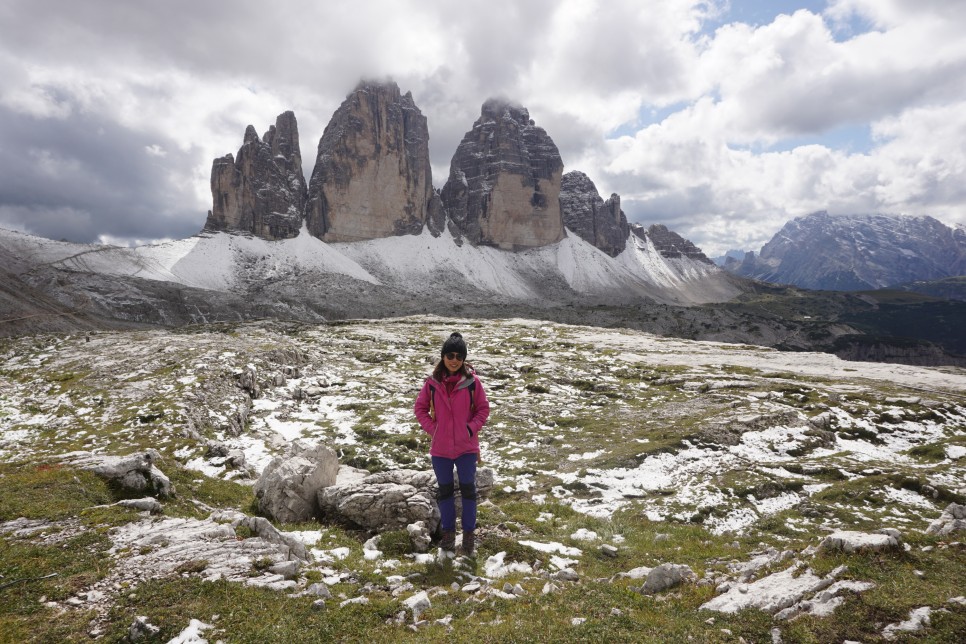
(372, 176)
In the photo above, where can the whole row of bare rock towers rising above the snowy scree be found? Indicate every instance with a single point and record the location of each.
(372, 179)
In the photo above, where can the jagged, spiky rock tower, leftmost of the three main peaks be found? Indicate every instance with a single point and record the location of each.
(263, 191)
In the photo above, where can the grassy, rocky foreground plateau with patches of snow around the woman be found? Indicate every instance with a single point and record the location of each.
(646, 488)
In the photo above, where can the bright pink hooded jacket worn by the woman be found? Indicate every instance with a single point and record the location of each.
(453, 424)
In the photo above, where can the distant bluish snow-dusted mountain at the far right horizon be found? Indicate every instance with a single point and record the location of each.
(858, 252)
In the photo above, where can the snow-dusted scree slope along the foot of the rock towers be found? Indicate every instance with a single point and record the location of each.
(226, 262)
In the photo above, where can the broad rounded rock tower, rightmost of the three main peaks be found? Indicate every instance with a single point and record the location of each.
(504, 183)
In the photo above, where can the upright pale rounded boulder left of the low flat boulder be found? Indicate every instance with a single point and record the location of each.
(288, 488)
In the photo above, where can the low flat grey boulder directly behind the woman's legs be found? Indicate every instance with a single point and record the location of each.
(392, 500)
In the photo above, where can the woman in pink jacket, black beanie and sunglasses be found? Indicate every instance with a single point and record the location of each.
(452, 408)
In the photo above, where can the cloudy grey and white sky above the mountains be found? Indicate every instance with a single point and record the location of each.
(720, 119)
